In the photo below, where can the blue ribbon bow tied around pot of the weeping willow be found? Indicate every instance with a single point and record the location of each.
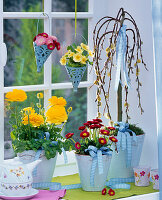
(125, 140)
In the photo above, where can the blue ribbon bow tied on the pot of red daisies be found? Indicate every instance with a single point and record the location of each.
(96, 155)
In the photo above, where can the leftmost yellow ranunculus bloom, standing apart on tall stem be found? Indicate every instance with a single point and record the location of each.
(16, 95)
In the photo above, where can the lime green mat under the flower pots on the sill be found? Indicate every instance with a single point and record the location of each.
(79, 194)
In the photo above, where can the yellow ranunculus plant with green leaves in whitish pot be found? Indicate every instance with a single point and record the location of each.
(35, 134)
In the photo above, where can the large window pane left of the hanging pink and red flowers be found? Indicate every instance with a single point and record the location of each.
(21, 64)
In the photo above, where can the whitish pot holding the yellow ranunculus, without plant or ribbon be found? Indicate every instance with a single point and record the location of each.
(45, 169)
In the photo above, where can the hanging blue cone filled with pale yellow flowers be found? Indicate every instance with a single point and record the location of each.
(76, 61)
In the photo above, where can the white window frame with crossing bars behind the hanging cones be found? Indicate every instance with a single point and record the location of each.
(48, 86)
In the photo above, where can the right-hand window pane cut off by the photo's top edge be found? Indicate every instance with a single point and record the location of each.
(69, 6)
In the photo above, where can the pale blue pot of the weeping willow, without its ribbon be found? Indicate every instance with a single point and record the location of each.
(118, 167)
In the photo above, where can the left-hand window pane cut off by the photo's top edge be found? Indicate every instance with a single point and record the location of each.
(22, 6)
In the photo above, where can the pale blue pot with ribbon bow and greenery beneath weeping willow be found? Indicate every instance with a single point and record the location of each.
(128, 148)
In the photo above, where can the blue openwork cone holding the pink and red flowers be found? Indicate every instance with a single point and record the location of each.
(41, 55)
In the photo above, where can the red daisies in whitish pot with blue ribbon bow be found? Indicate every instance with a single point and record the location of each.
(93, 154)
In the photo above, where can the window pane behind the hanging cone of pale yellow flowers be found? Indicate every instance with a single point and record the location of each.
(64, 31)
